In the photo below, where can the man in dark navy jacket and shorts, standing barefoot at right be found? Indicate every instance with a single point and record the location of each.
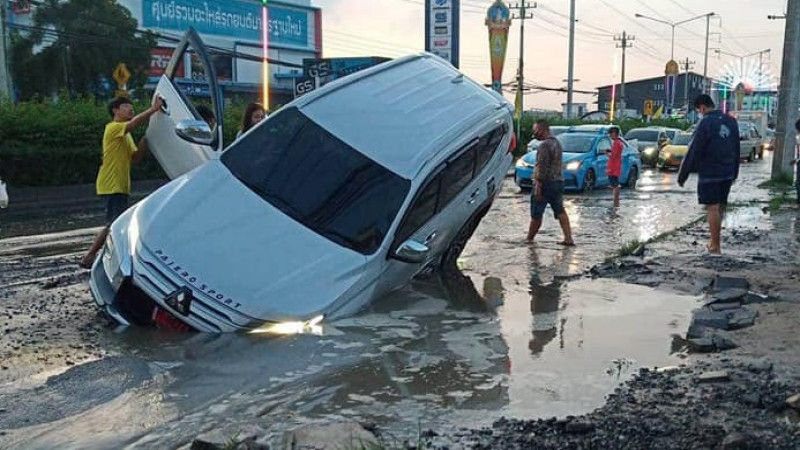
(714, 155)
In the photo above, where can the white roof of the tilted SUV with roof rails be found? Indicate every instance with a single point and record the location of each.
(404, 112)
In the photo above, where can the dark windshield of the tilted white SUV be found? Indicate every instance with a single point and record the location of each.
(318, 180)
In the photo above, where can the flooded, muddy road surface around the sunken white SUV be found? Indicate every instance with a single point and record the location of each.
(515, 336)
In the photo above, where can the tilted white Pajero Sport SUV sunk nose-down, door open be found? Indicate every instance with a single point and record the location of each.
(336, 199)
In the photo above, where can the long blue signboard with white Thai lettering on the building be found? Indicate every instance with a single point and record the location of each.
(230, 18)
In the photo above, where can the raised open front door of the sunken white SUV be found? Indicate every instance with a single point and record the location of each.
(179, 139)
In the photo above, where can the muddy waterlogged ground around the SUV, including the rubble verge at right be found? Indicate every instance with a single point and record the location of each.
(526, 332)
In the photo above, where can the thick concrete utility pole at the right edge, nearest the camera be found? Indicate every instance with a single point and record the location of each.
(788, 92)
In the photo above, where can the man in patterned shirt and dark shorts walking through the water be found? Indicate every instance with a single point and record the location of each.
(548, 183)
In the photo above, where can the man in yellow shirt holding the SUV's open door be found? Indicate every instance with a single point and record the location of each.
(119, 151)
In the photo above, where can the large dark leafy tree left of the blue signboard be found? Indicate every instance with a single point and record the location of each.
(75, 45)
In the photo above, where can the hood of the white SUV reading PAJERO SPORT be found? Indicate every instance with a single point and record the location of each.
(238, 244)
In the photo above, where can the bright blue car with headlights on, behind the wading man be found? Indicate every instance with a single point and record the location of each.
(584, 160)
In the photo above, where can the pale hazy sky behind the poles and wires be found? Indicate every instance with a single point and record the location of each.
(740, 27)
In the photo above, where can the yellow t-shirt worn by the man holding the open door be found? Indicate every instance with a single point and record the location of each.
(114, 176)
